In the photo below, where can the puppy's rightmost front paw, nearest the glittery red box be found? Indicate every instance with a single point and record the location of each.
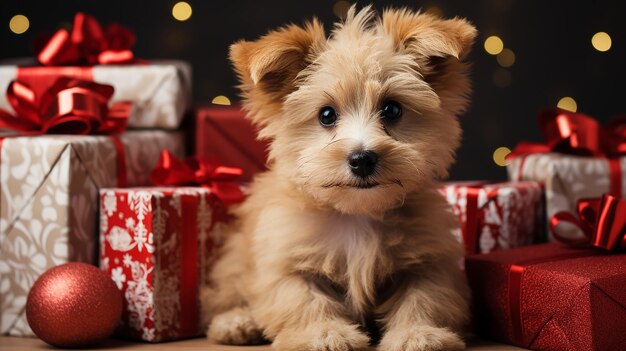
(421, 338)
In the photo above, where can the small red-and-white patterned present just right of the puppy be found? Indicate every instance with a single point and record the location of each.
(495, 216)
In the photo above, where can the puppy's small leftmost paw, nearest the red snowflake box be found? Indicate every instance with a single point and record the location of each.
(235, 327)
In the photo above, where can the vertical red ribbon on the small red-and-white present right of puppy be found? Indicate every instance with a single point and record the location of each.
(474, 217)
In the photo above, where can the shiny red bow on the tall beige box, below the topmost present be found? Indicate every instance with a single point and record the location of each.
(70, 106)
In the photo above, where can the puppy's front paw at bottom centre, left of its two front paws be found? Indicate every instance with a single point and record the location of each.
(322, 336)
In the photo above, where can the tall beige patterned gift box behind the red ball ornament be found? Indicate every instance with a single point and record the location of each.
(49, 203)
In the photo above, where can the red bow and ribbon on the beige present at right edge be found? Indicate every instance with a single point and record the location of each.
(578, 134)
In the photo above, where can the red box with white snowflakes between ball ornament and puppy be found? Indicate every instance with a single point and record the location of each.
(158, 244)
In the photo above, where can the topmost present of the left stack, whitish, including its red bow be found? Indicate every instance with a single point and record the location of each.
(160, 91)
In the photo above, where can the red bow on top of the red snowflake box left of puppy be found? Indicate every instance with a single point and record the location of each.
(195, 171)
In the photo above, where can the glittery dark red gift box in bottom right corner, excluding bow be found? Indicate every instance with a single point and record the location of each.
(550, 297)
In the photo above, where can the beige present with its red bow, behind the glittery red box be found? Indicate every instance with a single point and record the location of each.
(580, 159)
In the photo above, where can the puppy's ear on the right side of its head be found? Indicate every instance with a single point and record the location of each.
(437, 44)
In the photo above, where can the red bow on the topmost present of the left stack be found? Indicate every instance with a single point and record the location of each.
(88, 44)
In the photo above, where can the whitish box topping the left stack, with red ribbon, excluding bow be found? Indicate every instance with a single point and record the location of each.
(160, 92)
